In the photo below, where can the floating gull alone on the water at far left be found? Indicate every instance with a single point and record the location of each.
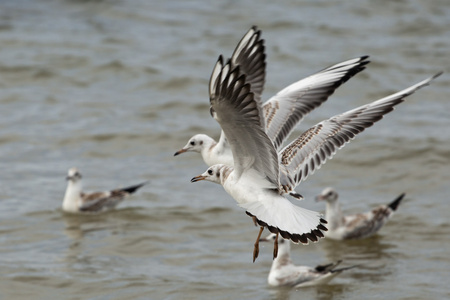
(76, 201)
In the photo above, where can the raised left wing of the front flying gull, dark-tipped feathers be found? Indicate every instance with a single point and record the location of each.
(234, 107)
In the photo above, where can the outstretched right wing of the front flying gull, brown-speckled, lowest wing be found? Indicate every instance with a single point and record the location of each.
(311, 150)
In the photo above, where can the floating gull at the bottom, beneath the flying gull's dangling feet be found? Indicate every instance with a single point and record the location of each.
(284, 273)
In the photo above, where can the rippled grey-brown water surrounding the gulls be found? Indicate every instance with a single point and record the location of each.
(116, 87)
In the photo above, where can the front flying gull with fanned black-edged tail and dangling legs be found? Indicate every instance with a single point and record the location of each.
(260, 176)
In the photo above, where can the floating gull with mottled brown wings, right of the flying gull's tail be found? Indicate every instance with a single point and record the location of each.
(357, 226)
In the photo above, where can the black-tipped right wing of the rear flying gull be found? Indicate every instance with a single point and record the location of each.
(289, 106)
